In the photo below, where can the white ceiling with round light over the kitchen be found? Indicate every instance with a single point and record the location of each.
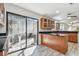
(58, 11)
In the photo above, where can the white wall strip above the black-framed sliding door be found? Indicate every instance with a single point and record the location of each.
(18, 10)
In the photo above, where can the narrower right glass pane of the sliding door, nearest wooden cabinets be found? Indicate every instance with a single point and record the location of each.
(31, 32)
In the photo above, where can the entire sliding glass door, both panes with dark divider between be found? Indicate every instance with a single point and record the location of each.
(22, 32)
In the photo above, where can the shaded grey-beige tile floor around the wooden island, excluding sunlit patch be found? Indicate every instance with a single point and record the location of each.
(73, 50)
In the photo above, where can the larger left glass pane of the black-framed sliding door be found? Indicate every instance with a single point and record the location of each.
(16, 32)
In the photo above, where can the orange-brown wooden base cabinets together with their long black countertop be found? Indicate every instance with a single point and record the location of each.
(58, 40)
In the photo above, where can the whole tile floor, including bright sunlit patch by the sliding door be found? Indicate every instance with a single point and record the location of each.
(73, 50)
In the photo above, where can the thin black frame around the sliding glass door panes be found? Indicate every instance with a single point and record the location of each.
(26, 27)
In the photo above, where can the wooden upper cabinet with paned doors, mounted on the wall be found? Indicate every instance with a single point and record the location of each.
(46, 24)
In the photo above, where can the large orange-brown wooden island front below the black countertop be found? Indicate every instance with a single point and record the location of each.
(59, 43)
